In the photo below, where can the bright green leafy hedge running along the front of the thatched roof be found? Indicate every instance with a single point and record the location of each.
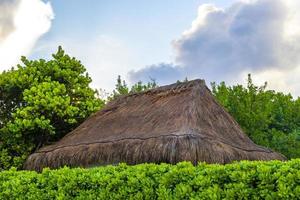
(242, 180)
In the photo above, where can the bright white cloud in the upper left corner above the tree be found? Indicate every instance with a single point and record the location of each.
(22, 23)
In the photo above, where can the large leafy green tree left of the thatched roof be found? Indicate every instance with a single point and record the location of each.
(40, 102)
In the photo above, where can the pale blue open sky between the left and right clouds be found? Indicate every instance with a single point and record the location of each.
(144, 29)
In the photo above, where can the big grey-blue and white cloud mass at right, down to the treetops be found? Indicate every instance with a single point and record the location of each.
(257, 36)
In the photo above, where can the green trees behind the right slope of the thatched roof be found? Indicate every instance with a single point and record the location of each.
(270, 118)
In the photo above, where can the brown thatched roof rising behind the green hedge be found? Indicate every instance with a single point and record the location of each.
(169, 124)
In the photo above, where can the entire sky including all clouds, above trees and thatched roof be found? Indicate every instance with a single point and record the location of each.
(217, 40)
